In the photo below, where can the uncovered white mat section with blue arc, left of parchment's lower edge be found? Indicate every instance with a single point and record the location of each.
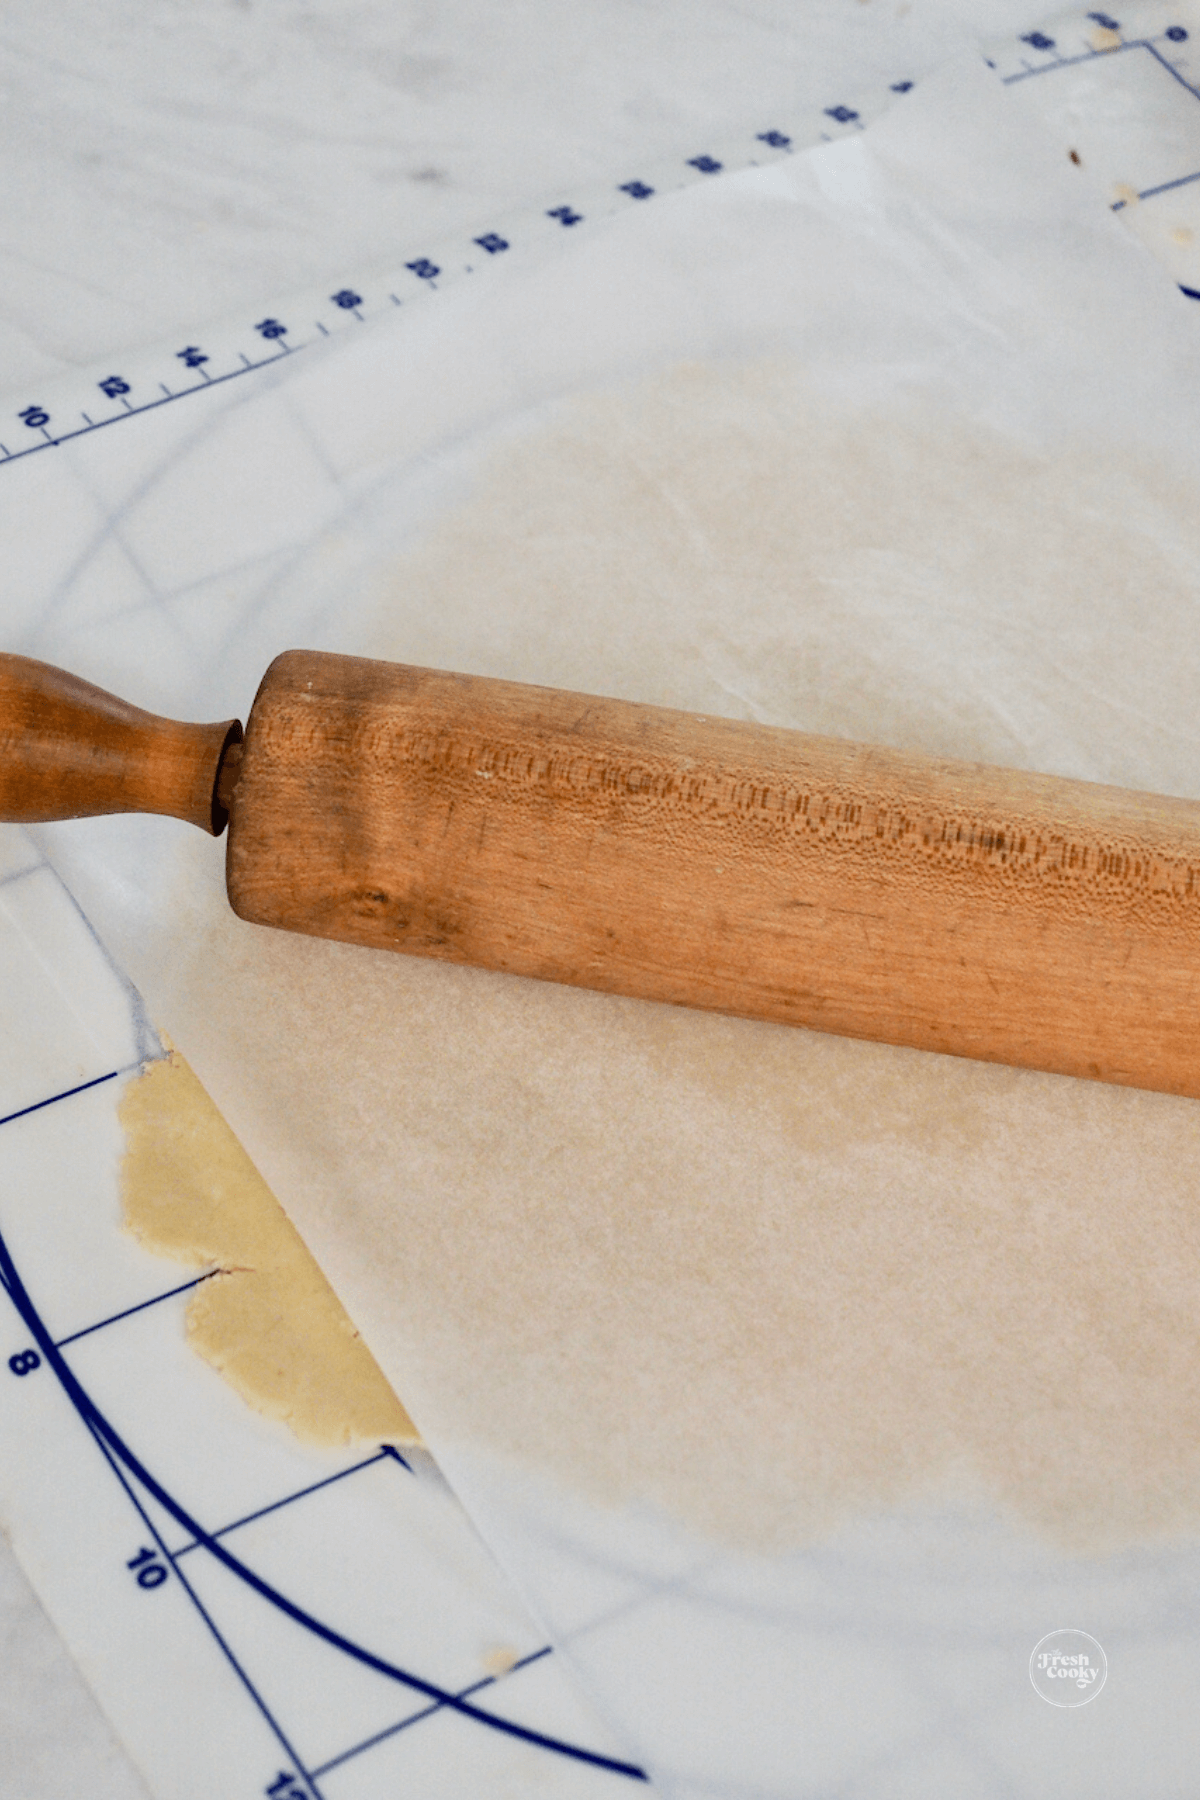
(256, 1617)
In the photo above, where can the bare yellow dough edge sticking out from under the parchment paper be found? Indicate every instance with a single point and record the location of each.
(267, 1318)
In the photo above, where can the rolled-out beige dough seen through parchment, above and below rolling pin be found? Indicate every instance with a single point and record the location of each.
(760, 1279)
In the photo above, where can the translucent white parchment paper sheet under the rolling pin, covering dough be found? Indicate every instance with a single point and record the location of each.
(803, 1374)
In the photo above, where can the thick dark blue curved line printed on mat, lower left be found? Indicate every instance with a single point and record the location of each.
(93, 1416)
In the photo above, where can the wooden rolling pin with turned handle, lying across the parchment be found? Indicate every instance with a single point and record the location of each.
(703, 861)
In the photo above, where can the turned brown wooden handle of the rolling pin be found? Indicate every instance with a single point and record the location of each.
(71, 751)
